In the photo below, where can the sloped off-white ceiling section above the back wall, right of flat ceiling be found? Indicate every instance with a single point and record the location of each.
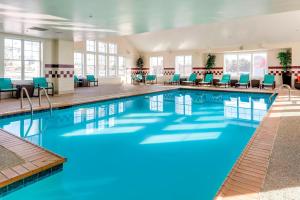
(260, 32)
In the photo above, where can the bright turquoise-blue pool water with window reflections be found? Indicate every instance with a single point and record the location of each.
(165, 146)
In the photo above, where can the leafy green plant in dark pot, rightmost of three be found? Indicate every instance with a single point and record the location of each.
(285, 59)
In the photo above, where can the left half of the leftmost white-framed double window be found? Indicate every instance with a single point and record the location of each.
(13, 59)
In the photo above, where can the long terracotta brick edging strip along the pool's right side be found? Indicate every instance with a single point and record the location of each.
(246, 179)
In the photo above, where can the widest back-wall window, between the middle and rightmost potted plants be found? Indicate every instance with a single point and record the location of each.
(254, 64)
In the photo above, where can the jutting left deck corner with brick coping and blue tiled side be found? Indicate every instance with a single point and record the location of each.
(33, 163)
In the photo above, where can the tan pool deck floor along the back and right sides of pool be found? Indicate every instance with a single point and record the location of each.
(255, 174)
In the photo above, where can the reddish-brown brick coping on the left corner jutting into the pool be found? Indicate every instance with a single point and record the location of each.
(36, 159)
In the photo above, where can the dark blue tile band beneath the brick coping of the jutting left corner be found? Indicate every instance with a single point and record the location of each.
(29, 180)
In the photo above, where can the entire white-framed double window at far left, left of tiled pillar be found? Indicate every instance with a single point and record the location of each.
(22, 59)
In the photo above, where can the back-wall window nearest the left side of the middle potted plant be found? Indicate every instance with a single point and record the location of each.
(183, 65)
